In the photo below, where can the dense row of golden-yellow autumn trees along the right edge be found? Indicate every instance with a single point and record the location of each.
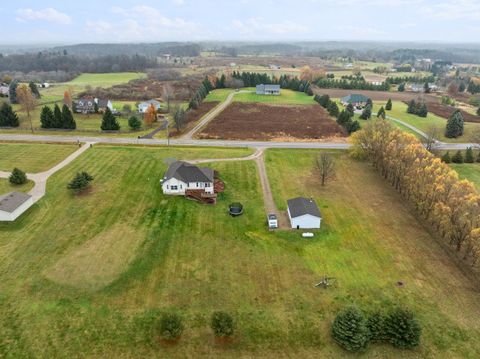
(450, 205)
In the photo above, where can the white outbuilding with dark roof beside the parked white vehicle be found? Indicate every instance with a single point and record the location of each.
(304, 213)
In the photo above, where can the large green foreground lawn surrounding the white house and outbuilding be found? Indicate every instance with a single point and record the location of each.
(83, 276)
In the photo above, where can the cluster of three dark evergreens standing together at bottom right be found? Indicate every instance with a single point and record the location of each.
(353, 331)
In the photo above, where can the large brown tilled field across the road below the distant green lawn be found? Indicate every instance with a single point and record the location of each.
(247, 121)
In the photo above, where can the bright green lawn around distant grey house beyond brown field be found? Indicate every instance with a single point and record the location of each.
(287, 97)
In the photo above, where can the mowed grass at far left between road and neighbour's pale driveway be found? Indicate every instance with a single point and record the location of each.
(31, 157)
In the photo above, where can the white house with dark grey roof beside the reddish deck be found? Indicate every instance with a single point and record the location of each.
(183, 178)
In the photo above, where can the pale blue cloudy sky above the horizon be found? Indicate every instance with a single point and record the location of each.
(56, 21)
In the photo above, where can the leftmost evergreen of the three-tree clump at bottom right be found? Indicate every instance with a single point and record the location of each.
(350, 331)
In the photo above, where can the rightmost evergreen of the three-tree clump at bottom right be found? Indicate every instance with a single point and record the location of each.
(402, 329)
